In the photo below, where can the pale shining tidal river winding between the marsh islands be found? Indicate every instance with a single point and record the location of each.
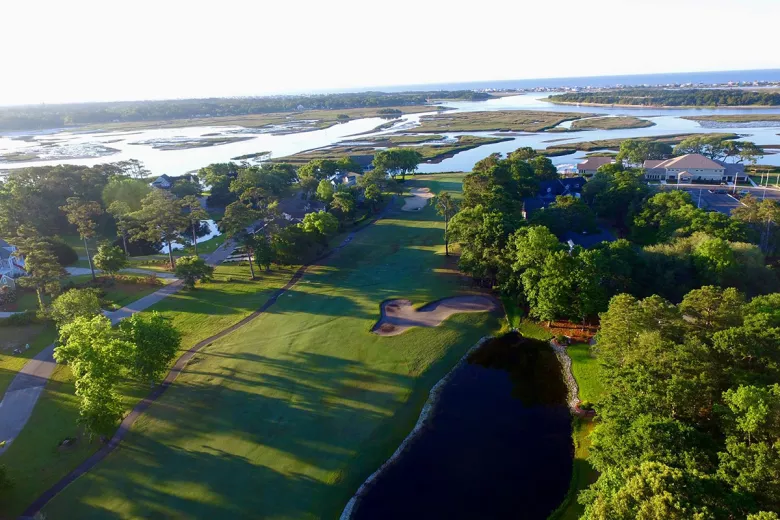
(74, 147)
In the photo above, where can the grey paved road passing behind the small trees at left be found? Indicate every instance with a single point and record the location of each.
(25, 389)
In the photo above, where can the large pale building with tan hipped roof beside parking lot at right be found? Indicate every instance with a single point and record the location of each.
(693, 167)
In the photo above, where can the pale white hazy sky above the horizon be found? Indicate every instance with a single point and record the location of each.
(75, 50)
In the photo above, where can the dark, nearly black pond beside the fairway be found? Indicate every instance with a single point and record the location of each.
(497, 445)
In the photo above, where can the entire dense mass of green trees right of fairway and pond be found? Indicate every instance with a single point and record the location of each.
(689, 312)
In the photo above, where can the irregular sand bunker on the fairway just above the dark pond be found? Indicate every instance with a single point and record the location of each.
(399, 315)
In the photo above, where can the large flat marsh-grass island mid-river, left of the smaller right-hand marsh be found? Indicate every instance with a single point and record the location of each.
(500, 120)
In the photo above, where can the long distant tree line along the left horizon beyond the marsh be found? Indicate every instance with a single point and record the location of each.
(31, 117)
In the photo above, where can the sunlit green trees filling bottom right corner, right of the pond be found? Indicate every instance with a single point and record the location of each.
(689, 423)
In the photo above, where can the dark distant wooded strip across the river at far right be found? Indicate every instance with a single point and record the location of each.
(673, 97)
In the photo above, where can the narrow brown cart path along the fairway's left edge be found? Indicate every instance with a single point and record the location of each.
(181, 363)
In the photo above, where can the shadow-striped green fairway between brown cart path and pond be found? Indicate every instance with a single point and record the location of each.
(285, 417)
